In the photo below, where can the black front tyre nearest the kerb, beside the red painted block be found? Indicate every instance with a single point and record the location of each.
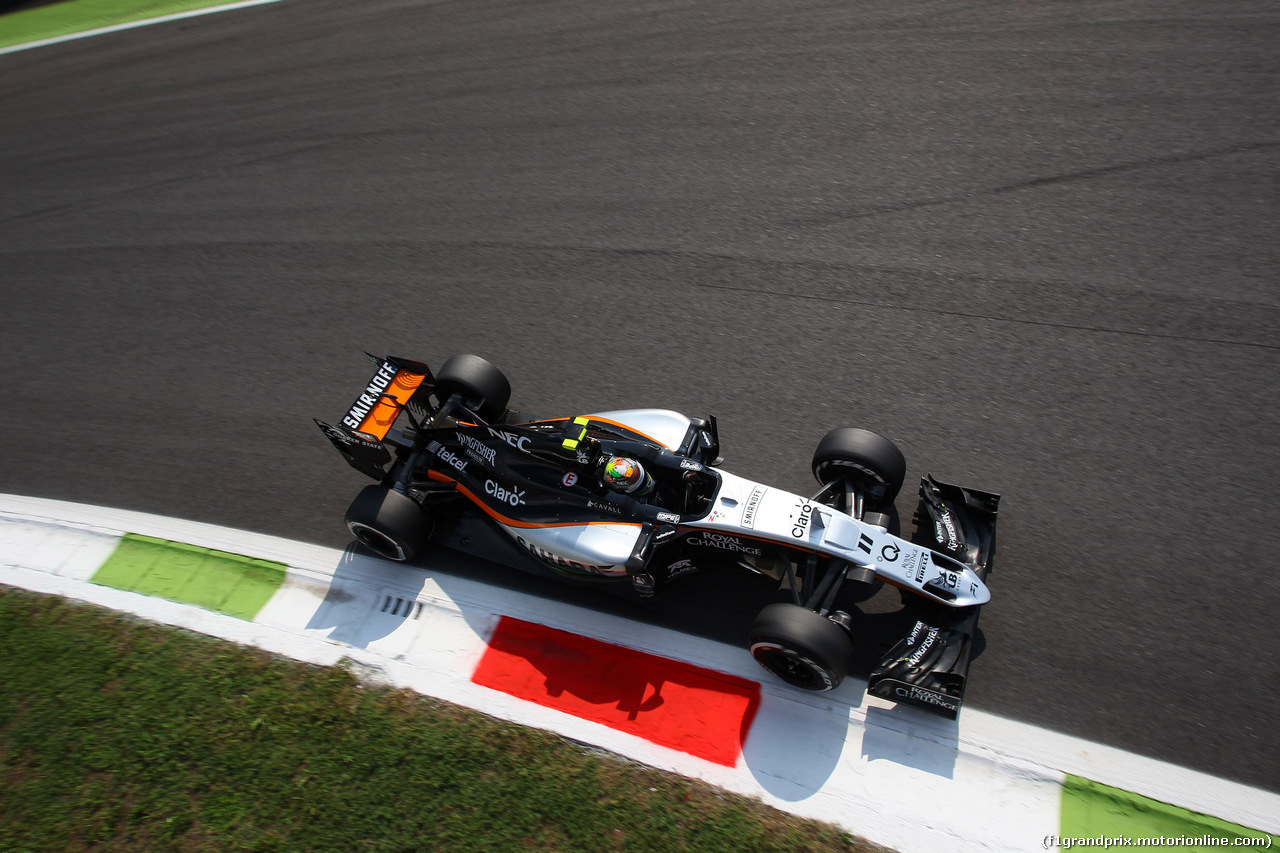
(803, 649)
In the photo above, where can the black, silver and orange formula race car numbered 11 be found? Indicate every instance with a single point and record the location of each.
(633, 500)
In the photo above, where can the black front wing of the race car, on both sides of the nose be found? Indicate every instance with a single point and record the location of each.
(929, 668)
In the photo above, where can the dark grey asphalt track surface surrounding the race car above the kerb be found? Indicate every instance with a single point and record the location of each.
(1035, 244)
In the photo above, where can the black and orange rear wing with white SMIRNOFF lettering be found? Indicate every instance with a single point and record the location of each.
(359, 437)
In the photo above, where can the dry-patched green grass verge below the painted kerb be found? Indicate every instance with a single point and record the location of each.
(117, 735)
